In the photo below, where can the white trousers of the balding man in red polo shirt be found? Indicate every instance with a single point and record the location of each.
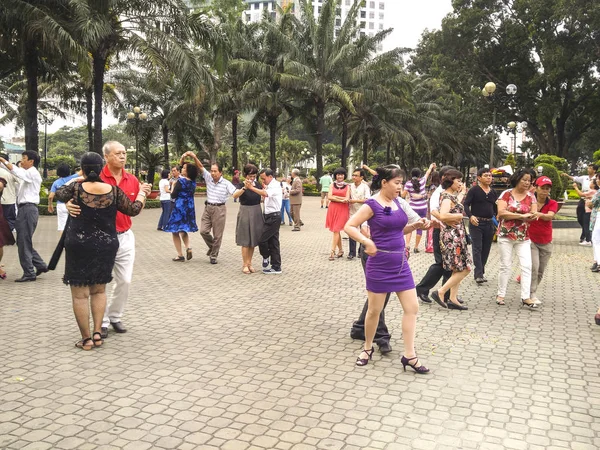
(122, 275)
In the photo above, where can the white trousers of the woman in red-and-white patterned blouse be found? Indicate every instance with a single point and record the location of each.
(523, 250)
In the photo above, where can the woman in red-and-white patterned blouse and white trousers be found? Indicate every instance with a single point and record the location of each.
(516, 208)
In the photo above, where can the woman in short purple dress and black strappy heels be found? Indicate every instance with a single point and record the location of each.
(389, 218)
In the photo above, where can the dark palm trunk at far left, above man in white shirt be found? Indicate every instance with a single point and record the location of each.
(31, 113)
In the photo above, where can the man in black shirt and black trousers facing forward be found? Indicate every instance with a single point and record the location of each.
(480, 206)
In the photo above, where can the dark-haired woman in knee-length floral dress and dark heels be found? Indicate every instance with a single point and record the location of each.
(453, 240)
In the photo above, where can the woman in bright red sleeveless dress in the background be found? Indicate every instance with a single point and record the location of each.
(339, 210)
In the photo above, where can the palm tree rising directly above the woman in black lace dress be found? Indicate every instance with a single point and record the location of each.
(159, 33)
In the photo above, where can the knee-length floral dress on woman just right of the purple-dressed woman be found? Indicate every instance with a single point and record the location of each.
(453, 240)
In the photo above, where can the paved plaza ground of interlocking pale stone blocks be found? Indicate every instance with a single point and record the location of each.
(216, 359)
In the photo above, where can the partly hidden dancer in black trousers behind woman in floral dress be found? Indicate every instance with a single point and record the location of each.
(436, 270)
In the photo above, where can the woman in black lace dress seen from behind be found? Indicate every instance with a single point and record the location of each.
(91, 243)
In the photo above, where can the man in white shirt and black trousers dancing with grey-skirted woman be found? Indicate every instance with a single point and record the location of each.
(269, 241)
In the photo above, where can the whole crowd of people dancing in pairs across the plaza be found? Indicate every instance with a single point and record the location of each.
(94, 206)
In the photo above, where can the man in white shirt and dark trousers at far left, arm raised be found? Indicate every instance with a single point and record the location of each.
(28, 197)
